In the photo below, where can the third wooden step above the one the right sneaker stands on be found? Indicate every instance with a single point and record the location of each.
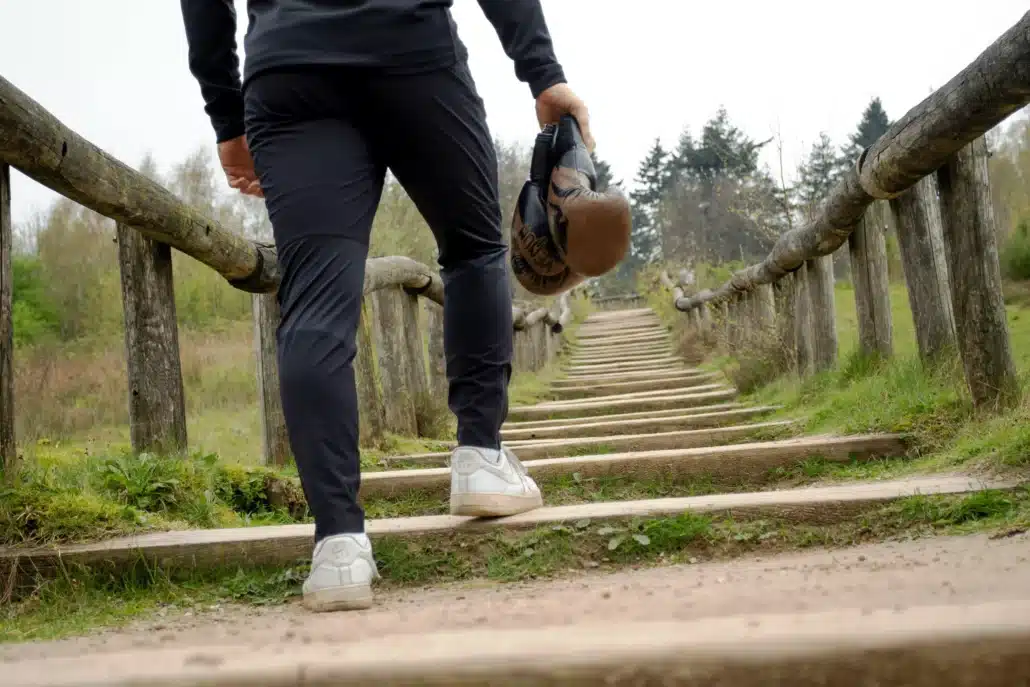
(603, 427)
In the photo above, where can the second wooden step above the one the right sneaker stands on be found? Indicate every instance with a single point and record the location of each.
(536, 450)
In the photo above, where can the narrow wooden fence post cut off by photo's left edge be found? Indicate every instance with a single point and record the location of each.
(9, 450)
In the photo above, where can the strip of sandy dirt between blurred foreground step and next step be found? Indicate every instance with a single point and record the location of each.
(883, 576)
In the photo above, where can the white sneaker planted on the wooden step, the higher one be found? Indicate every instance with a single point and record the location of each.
(491, 484)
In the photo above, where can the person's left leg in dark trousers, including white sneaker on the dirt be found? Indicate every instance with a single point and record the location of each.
(322, 186)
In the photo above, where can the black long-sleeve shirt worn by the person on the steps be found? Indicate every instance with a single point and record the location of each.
(394, 36)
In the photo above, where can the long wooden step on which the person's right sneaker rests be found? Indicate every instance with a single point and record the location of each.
(280, 545)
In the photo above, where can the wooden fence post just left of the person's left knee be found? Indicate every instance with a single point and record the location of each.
(276, 440)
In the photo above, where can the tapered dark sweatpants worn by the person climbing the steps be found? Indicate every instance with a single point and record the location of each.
(322, 141)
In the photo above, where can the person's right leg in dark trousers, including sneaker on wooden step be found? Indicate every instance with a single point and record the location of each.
(432, 130)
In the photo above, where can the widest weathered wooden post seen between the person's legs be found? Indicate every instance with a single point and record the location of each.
(392, 351)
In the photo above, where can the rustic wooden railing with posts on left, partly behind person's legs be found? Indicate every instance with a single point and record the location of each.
(400, 362)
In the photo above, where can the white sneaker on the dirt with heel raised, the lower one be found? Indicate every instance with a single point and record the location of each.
(342, 570)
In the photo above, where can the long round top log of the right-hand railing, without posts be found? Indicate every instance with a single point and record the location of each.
(977, 99)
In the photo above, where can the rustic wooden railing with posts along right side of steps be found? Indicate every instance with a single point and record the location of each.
(929, 175)
